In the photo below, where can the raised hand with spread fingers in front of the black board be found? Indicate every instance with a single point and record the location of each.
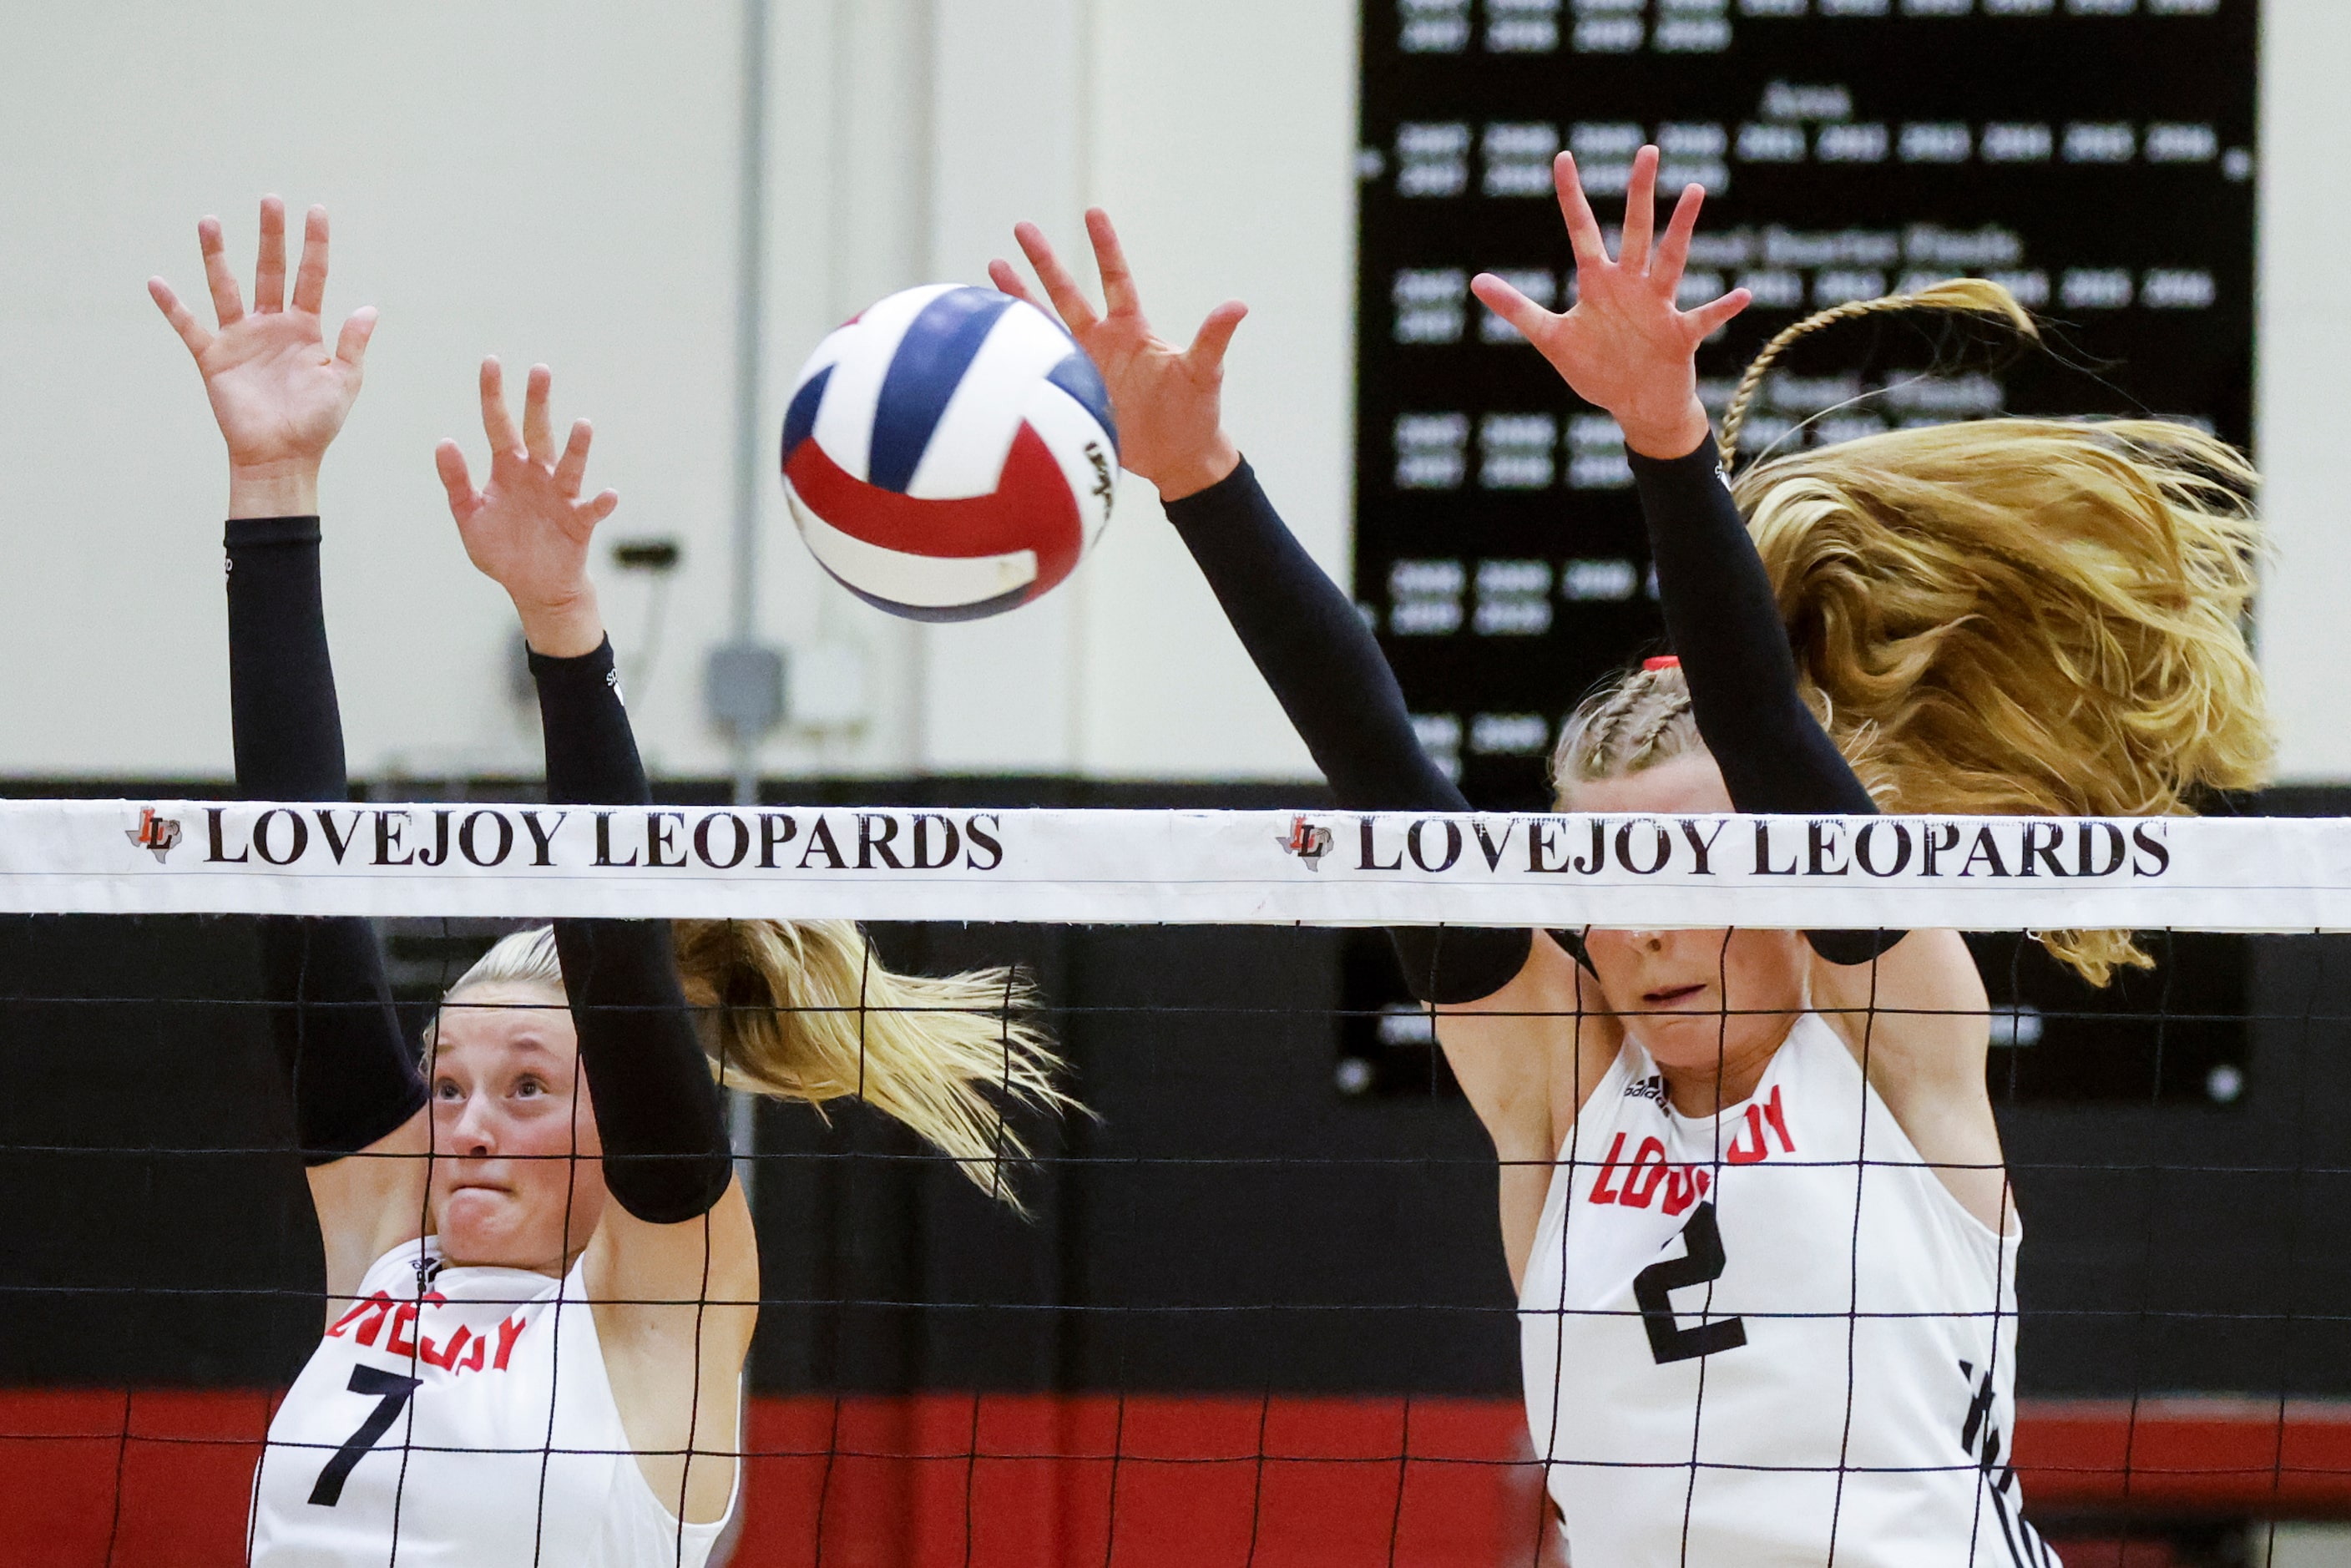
(1626, 347)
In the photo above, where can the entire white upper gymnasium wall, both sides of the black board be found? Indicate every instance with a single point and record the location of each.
(558, 182)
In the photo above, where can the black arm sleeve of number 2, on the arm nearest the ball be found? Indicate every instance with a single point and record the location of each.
(1327, 671)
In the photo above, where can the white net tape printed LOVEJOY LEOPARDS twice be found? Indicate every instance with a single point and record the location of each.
(1334, 869)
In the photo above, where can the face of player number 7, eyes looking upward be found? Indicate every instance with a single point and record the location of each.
(518, 1167)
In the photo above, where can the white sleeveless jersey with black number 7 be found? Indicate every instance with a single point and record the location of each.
(457, 1419)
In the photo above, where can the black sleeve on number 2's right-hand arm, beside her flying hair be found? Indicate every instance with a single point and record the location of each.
(1724, 622)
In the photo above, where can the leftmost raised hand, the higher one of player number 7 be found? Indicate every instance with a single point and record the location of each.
(276, 391)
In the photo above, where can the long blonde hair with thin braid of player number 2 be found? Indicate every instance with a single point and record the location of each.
(2014, 617)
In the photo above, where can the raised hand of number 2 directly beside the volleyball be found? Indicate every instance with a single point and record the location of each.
(1167, 401)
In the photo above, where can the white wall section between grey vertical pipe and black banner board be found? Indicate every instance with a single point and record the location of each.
(909, 140)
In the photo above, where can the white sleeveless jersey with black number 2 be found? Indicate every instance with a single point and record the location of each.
(1746, 1343)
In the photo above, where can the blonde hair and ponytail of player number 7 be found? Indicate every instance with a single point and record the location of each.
(808, 1012)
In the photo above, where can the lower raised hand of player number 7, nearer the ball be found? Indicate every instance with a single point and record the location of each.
(528, 530)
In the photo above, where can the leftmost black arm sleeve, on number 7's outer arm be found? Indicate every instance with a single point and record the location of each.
(354, 1073)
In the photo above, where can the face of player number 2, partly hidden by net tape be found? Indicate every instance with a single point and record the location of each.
(1701, 1003)
